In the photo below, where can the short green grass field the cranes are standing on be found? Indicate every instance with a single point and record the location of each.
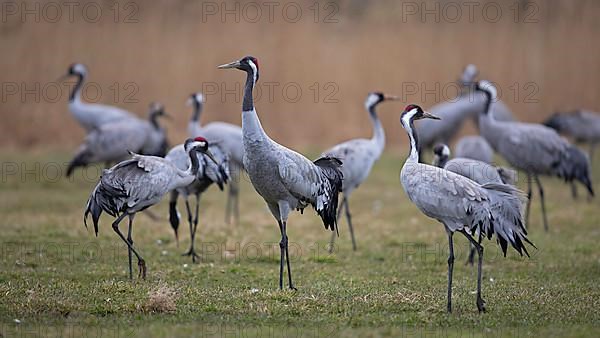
(57, 278)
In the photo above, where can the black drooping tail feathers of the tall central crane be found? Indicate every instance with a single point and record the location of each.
(327, 204)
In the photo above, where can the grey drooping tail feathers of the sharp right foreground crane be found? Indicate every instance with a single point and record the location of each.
(505, 217)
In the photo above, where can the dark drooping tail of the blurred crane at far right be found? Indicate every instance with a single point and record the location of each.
(575, 167)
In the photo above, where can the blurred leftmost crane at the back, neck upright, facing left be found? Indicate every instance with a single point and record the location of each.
(91, 116)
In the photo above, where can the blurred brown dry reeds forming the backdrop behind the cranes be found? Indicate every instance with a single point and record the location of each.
(170, 51)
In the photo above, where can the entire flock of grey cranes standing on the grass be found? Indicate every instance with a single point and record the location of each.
(467, 194)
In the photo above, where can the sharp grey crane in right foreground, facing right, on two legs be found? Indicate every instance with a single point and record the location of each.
(462, 204)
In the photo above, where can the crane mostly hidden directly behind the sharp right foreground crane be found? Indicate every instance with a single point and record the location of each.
(475, 170)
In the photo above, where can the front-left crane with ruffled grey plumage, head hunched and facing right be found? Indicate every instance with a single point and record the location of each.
(136, 184)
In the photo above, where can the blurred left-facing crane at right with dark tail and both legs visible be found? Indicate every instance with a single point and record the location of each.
(534, 149)
